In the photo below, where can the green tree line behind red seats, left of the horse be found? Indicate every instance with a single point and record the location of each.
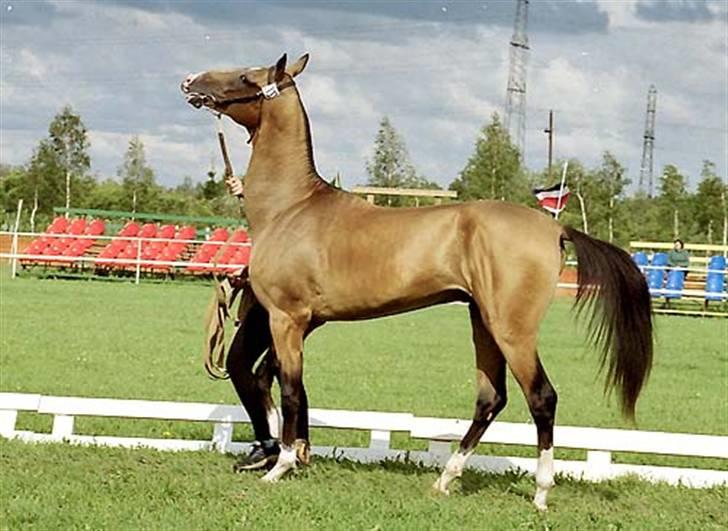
(58, 174)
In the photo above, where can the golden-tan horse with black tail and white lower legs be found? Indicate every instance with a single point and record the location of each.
(321, 254)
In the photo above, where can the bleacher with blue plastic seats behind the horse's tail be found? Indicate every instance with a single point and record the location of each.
(699, 289)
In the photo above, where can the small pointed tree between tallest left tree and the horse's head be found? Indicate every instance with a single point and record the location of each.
(137, 178)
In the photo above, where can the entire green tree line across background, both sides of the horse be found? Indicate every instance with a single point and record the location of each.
(58, 173)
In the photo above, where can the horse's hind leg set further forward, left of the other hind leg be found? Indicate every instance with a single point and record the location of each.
(490, 400)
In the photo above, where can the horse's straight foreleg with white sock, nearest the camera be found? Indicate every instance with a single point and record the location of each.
(288, 340)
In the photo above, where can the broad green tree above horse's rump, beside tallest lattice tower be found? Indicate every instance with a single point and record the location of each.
(494, 169)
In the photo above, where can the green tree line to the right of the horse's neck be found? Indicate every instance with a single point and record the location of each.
(600, 204)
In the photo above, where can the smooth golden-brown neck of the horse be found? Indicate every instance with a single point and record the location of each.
(281, 172)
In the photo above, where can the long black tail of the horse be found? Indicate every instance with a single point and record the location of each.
(620, 323)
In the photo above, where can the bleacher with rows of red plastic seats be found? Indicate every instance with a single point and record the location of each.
(80, 245)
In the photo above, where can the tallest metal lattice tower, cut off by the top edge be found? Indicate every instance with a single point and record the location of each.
(515, 115)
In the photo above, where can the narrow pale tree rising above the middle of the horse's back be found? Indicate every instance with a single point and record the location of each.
(390, 166)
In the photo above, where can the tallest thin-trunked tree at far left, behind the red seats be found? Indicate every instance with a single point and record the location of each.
(67, 136)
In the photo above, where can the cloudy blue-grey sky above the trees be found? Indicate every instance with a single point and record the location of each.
(437, 69)
